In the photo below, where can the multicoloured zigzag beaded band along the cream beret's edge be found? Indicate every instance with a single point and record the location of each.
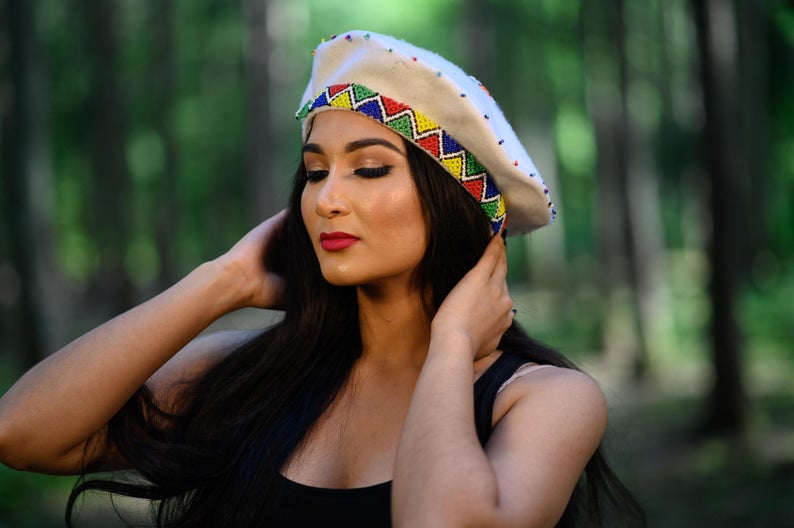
(425, 133)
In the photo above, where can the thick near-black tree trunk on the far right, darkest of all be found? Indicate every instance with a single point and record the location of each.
(715, 24)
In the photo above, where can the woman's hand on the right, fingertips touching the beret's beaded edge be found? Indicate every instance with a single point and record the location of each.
(479, 307)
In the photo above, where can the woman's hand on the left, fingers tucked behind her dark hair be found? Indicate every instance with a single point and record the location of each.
(250, 262)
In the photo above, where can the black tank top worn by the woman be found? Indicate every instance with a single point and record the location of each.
(299, 505)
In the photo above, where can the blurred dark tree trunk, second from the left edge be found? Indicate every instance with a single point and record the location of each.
(111, 194)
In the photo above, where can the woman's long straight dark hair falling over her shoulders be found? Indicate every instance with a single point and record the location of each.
(213, 462)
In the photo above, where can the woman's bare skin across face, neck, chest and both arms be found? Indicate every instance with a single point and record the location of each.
(405, 413)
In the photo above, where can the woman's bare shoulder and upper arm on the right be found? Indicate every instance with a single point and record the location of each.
(548, 423)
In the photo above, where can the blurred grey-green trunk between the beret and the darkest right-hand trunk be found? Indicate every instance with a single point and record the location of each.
(604, 37)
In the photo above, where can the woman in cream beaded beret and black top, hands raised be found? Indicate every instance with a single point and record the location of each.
(397, 389)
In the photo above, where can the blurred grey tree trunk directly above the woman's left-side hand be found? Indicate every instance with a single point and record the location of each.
(261, 175)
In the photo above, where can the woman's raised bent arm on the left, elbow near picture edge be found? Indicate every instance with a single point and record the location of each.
(48, 416)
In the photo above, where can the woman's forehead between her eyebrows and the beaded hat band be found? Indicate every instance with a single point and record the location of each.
(343, 126)
